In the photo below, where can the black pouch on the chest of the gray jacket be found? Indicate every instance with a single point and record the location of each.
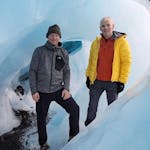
(59, 62)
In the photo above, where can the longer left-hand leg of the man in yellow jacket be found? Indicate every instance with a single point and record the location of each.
(95, 92)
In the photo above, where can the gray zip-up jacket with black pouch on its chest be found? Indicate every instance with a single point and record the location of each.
(49, 69)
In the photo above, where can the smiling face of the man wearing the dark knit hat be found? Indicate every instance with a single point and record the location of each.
(54, 39)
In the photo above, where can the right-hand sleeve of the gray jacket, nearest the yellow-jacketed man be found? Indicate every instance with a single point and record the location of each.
(66, 74)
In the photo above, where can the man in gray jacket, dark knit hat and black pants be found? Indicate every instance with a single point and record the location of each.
(49, 78)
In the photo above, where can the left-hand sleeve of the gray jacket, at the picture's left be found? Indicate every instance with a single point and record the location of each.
(33, 71)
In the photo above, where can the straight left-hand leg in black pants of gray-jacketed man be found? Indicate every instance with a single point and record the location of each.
(41, 109)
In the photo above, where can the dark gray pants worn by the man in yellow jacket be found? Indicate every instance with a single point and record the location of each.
(96, 91)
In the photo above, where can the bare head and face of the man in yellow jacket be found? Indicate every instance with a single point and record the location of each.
(107, 28)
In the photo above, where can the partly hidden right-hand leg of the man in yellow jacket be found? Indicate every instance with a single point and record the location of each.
(111, 91)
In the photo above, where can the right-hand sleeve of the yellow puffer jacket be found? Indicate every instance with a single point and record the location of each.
(125, 61)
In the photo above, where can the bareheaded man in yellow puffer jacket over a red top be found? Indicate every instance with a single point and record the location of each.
(109, 66)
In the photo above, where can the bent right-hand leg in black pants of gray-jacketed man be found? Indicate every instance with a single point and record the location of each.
(73, 109)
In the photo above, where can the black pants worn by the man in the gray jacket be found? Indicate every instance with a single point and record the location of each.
(42, 107)
